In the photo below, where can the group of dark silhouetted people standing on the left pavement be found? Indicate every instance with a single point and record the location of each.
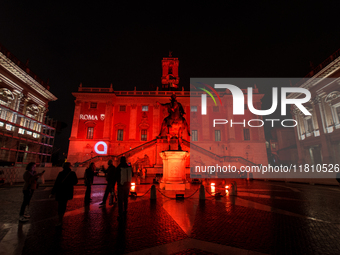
(67, 179)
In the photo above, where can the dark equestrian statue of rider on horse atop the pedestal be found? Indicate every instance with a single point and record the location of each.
(174, 125)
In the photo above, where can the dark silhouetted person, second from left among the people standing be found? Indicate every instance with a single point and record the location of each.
(63, 189)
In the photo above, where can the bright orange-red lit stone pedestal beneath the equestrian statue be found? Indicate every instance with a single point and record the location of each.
(174, 176)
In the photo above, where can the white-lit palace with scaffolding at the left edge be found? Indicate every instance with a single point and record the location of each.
(26, 134)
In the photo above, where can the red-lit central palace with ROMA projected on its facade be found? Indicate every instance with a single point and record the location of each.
(108, 124)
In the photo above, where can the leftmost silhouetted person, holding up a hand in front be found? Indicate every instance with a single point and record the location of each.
(30, 184)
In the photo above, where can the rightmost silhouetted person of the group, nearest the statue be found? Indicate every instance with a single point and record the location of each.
(124, 182)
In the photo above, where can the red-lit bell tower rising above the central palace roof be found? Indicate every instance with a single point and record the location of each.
(170, 78)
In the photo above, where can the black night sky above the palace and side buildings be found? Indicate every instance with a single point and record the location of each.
(123, 43)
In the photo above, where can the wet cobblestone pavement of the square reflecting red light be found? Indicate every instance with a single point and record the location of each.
(264, 218)
